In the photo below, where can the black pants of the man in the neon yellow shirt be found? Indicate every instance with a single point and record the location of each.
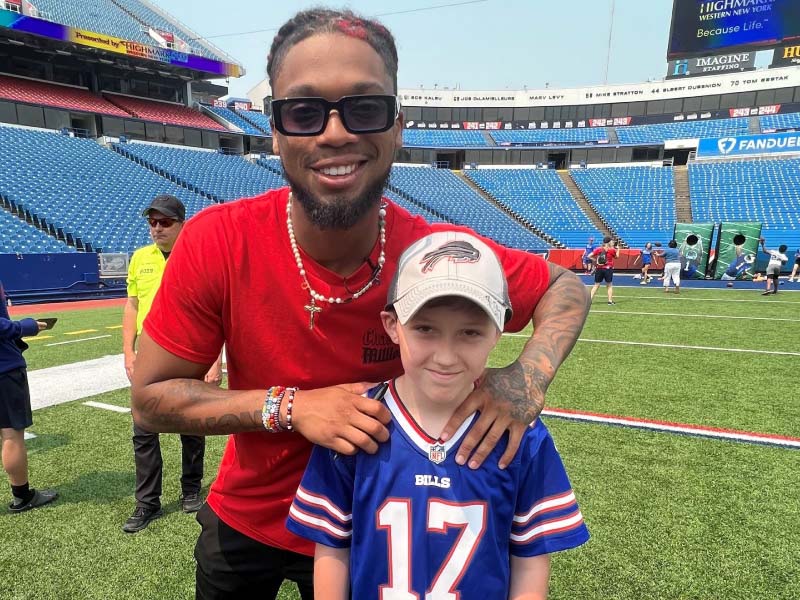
(147, 456)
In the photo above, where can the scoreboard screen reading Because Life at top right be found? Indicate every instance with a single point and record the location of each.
(709, 26)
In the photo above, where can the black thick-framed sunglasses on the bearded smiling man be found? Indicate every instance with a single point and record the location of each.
(369, 113)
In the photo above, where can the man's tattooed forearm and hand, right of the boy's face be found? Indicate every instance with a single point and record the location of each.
(512, 397)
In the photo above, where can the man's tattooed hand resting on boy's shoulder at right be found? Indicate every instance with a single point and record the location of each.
(507, 401)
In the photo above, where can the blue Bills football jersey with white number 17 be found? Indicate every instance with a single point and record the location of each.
(418, 525)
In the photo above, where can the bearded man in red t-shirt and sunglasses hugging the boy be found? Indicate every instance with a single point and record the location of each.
(293, 283)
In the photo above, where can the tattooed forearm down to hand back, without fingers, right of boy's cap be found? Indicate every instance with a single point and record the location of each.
(557, 323)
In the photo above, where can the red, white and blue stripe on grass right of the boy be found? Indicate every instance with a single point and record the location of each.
(749, 437)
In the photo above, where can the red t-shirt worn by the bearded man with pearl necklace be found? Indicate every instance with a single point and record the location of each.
(232, 279)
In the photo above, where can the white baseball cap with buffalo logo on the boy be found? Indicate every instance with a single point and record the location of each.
(450, 263)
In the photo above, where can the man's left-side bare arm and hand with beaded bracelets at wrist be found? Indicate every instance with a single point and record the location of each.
(168, 395)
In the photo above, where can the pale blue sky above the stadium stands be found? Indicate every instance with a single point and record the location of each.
(490, 44)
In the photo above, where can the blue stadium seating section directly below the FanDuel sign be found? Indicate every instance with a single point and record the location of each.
(759, 190)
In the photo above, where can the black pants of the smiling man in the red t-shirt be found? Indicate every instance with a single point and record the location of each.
(233, 566)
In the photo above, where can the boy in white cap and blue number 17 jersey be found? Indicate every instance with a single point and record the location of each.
(408, 522)
